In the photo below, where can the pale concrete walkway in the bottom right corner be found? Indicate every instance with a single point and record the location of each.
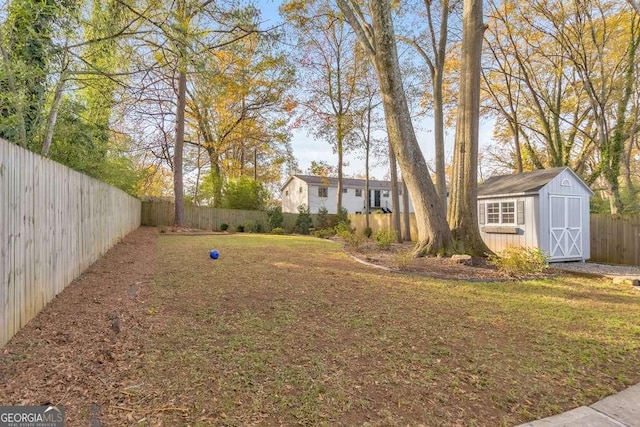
(621, 409)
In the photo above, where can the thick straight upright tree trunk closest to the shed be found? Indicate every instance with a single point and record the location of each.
(463, 212)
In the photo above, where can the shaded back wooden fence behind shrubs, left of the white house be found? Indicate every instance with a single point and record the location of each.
(206, 218)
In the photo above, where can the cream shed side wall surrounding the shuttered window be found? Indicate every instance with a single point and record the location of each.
(528, 237)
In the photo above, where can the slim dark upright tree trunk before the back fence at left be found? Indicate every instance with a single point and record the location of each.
(178, 185)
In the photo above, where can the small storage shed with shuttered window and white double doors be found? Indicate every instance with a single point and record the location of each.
(547, 208)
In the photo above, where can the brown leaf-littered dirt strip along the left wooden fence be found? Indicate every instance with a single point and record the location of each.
(83, 348)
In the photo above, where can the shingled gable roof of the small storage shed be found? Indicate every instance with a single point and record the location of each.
(522, 183)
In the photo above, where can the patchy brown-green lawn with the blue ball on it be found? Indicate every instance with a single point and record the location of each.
(289, 330)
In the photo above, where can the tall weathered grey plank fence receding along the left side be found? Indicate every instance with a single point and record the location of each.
(54, 223)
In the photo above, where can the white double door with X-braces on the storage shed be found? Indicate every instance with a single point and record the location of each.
(566, 226)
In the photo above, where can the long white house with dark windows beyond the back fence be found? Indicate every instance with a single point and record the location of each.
(317, 192)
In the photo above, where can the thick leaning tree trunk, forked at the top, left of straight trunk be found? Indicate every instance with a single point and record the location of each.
(378, 40)
